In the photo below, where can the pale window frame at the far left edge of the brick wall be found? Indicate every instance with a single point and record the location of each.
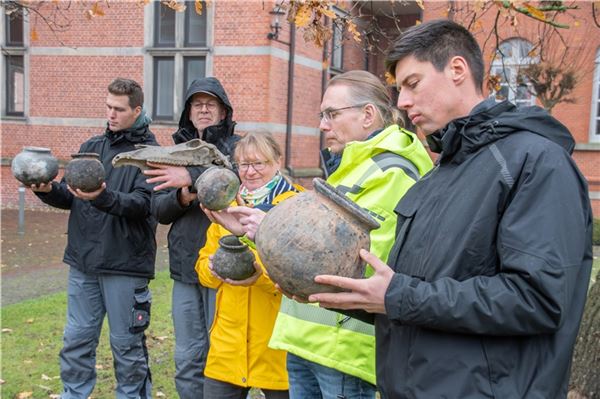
(12, 50)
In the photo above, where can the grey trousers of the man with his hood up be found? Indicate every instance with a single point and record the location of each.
(193, 311)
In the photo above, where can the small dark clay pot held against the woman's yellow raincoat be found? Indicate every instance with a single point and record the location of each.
(233, 259)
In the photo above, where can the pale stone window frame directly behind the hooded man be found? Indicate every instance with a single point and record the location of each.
(179, 52)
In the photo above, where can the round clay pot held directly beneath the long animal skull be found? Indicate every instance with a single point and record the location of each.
(217, 188)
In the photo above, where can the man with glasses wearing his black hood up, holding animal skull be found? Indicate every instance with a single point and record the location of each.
(207, 115)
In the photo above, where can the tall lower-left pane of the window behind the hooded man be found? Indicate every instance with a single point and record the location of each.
(164, 68)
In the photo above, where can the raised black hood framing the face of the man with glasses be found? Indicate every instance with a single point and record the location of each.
(211, 134)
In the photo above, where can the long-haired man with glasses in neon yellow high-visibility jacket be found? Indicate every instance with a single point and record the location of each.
(373, 162)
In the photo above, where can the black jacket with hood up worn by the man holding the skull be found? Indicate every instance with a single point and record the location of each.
(189, 224)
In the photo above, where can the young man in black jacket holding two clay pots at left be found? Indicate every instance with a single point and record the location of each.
(111, 252)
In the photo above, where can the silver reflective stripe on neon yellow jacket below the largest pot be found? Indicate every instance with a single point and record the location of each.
(321, 316)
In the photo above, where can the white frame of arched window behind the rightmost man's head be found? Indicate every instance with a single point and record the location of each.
(503, 65)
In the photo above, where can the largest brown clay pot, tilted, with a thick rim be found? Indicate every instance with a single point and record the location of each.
(315, 232)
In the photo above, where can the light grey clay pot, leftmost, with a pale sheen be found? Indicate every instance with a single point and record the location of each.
(34, 165)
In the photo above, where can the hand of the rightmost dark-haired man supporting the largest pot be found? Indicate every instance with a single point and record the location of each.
(367, 293)
